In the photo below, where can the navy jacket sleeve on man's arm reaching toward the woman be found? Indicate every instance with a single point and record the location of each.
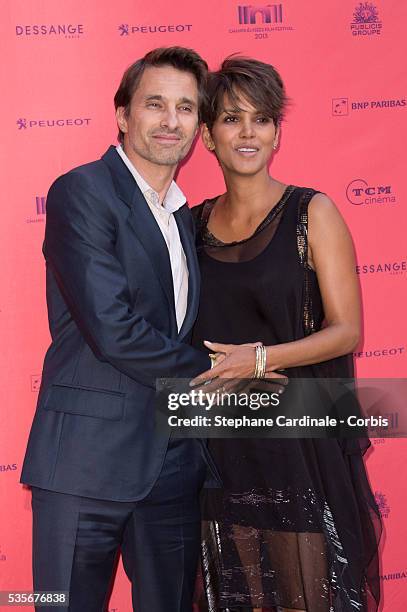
(79, 247)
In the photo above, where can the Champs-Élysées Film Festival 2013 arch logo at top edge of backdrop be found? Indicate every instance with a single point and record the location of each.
(260, 20)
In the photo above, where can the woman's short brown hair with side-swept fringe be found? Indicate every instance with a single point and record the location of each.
(248, 79)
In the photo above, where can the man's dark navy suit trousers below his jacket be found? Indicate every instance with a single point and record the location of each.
(76, 540)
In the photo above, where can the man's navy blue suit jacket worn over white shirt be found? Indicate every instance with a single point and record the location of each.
(114, 331)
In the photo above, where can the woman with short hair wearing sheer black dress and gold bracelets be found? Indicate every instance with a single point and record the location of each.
(296, 526)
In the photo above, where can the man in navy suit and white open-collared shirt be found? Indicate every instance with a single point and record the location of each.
(122, 294)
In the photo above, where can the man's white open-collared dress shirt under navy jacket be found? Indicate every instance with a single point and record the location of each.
(164, 216)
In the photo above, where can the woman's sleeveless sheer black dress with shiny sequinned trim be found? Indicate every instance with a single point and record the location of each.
(296, 525)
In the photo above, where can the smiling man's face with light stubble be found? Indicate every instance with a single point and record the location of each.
(163, 117)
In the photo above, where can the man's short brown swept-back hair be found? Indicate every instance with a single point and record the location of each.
(181, 58)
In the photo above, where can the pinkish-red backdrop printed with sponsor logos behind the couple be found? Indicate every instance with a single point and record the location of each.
(344, 134)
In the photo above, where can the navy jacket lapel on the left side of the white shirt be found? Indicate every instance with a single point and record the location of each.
(142, 222)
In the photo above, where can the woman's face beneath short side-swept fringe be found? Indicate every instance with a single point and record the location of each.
(243, 139)
